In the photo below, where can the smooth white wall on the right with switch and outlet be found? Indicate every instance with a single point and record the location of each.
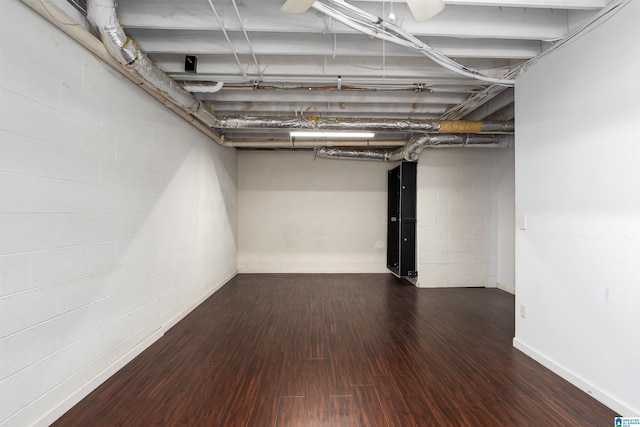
(578, 183)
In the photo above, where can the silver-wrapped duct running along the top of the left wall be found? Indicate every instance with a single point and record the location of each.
(102, 15)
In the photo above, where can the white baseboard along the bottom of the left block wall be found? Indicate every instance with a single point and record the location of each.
(106, 373)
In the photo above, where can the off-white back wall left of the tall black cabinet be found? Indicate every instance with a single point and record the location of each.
(297, 214)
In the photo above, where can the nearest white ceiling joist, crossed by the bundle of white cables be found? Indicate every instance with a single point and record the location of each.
(455, 21)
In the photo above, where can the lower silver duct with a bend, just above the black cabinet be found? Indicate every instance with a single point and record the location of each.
(411, 152)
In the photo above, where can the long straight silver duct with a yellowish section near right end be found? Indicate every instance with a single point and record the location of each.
(348, 123)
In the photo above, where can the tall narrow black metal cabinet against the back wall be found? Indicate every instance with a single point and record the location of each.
(401, 220)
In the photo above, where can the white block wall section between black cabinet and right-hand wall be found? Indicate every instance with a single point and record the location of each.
(462, 202)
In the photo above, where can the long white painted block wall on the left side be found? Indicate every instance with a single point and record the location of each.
(116, 219)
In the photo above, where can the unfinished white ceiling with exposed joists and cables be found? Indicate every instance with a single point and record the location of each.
(255, 60)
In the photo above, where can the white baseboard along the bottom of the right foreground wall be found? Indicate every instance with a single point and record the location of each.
(617, 405)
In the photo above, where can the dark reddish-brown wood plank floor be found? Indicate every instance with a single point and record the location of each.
(339, 350)
